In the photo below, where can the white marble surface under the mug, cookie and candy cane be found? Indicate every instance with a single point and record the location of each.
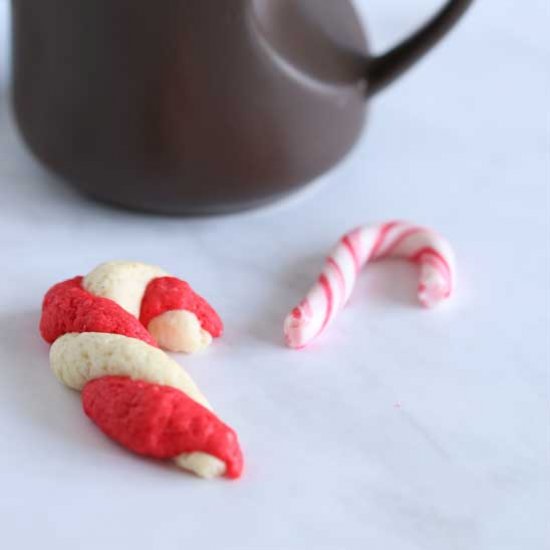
(402, 429)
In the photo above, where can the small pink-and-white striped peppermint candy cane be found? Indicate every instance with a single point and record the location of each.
(335, 284)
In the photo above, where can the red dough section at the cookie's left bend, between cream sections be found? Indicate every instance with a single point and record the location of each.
(67, 307)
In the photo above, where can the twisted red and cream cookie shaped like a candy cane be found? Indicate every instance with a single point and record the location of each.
(131, 389)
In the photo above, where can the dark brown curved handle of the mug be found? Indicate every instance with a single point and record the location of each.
(384, 69)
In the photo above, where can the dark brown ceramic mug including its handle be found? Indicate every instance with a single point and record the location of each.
(198, 106)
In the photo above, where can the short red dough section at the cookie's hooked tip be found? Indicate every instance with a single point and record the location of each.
(169, 293)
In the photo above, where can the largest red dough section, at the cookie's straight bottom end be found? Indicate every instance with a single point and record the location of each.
(159, 421)
